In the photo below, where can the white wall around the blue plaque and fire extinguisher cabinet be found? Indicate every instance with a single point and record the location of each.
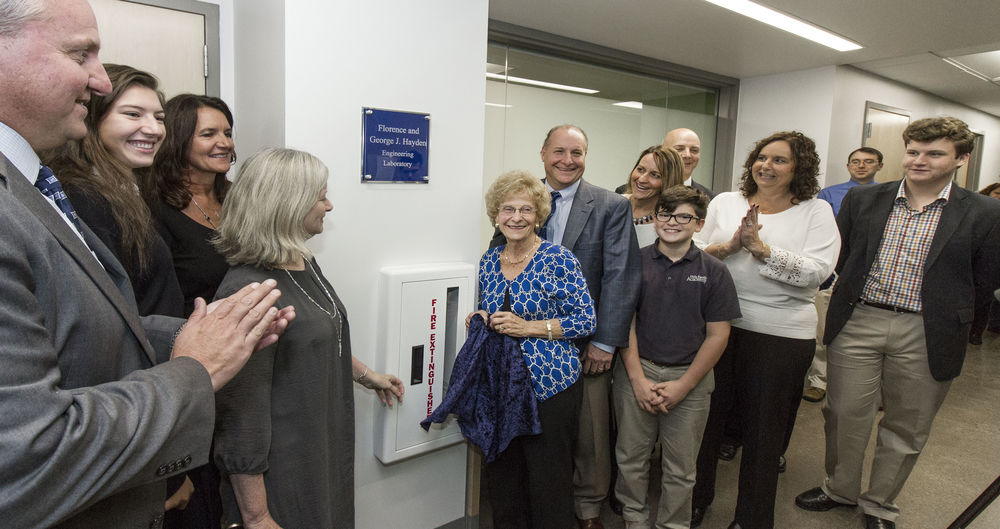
(338, 57)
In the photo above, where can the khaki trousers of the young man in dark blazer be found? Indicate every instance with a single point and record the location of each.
(878, 353)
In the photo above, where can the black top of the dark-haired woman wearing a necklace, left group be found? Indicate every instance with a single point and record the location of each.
(199, 267)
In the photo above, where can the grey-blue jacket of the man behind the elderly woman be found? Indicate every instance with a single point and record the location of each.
(600, 234)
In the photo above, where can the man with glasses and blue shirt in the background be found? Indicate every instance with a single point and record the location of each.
(862, 164)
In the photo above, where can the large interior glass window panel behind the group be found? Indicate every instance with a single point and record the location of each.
(625, 114)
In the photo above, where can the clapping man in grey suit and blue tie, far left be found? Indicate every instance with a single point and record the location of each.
(90, 428)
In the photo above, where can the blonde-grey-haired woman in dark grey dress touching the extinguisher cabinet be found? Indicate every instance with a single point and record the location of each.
(284, 437)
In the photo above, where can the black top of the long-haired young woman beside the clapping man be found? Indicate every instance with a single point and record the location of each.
(156, 290)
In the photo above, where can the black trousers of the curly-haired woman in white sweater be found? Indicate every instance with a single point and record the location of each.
(766, 374)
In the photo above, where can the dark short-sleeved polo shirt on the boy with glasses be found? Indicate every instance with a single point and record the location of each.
(676, 301)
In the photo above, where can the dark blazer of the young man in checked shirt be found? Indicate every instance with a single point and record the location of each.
(963, 262)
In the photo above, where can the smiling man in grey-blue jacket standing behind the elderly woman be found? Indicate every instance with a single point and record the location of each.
(595, 225)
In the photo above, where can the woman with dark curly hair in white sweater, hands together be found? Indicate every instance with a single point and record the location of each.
(779, 243)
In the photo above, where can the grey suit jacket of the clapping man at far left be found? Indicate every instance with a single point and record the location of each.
(89, 427)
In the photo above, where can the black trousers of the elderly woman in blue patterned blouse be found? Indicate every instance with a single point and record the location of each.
(530, 484)
